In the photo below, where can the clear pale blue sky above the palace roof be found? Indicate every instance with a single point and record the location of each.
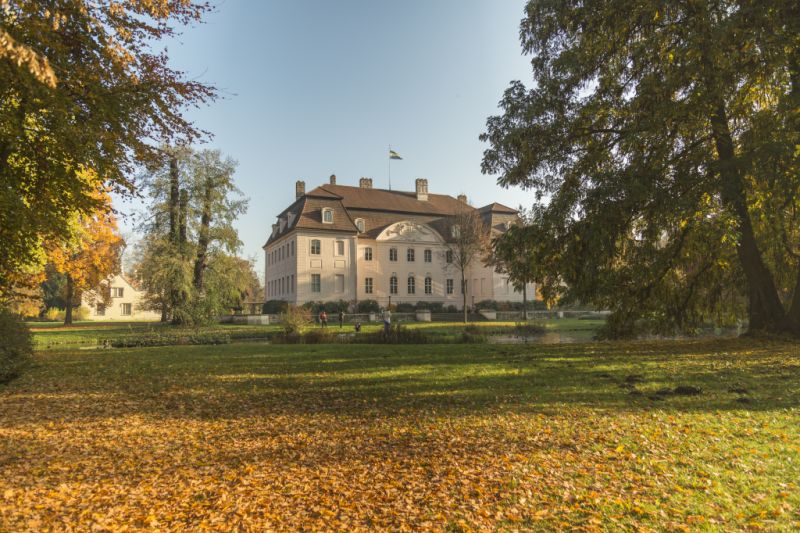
(318, 87)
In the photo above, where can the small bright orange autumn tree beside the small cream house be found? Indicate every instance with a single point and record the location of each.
(89, 259)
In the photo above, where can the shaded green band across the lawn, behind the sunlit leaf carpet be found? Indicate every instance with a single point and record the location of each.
(246, 380)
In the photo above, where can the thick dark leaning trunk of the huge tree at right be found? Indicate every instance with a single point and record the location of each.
(765, 310)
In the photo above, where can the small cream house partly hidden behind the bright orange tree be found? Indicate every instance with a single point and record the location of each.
(124, 303)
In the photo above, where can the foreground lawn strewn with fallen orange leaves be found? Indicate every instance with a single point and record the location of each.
(447, 437)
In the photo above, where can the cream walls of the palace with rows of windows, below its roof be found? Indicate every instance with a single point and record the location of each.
(405, 263)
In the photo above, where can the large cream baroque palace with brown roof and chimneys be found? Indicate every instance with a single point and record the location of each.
(339, 242)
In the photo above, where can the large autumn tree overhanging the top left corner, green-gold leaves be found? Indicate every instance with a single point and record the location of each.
(82, 86)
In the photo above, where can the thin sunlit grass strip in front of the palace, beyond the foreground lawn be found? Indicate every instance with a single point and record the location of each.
(51, 335)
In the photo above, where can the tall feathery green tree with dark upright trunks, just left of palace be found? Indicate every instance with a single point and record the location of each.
(186, 262)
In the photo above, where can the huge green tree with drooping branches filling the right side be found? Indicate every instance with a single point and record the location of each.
(660, 140)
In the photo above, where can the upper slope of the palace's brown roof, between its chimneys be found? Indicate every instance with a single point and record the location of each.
(386, 200)
